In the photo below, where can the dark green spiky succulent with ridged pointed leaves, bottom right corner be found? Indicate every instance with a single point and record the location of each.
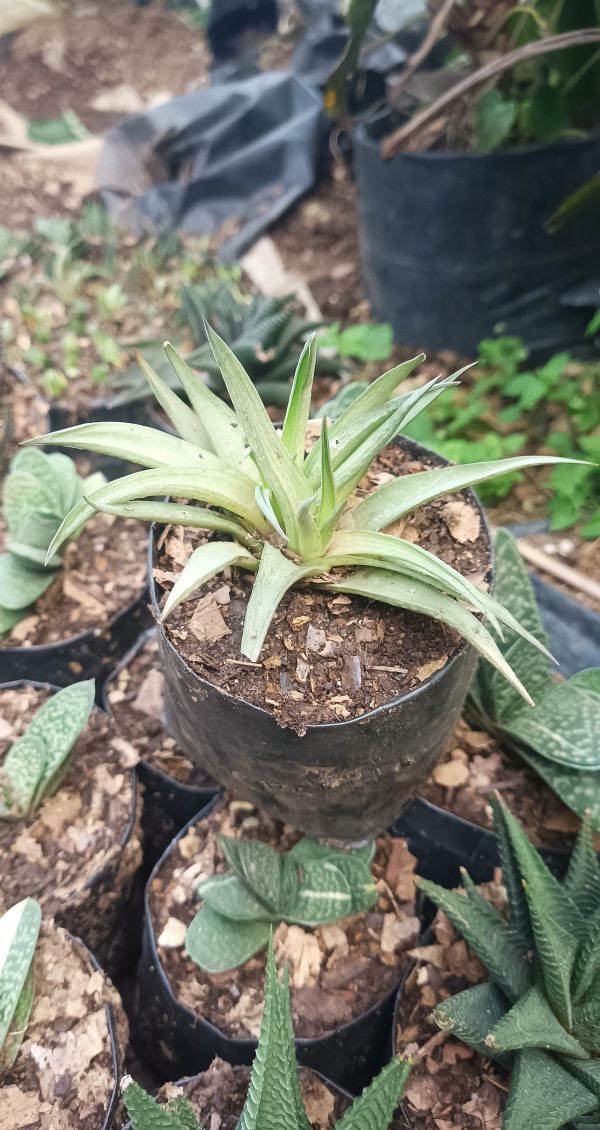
(542, 1005)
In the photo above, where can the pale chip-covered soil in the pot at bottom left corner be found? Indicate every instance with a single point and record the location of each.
(65, 1073)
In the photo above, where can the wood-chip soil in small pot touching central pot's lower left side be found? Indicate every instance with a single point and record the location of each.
(136, 699)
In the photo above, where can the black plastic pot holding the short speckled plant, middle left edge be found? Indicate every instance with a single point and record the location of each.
(108, 923)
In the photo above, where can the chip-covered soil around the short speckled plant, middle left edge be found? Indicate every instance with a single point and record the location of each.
(81, 853)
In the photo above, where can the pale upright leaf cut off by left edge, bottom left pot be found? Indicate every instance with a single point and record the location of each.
(20, 929)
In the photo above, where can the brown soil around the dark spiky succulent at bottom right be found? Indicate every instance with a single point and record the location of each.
(450, 1088)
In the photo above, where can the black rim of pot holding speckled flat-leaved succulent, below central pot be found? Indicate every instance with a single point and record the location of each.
(195, 1018)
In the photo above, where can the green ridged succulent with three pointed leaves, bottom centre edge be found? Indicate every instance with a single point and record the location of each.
(274, 1096)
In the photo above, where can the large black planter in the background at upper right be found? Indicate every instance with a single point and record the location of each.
(455, 247)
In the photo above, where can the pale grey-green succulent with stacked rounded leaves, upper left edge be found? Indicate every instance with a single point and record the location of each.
(39, 492)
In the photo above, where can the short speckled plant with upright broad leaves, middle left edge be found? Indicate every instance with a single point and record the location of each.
(38, 761)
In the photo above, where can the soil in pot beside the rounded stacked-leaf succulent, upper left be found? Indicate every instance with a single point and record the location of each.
(103, 572)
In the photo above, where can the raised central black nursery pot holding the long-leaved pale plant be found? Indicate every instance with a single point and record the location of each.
(343, 780)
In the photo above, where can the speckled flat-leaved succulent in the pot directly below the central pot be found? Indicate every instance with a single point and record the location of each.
(309, 885)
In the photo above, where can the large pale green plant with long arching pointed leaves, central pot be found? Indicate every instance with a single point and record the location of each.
(286, 516)
